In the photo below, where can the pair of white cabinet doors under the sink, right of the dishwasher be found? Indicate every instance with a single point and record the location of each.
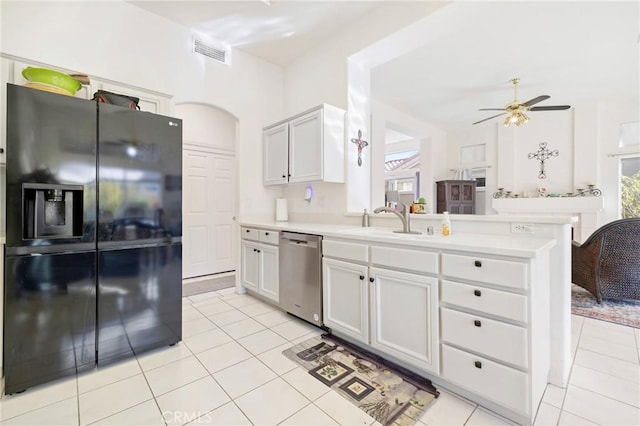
(393, 312)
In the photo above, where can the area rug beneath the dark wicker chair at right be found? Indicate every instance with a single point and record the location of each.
(621, 312)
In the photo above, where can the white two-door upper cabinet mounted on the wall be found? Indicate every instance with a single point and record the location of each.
(308, 147)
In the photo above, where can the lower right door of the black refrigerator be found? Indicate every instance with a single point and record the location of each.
(139, 300)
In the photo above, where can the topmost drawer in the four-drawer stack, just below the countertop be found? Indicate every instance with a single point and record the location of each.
(499, 272)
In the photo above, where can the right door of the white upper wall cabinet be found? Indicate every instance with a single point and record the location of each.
(305, 148)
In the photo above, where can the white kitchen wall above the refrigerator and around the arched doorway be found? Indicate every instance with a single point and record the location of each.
(121, 42)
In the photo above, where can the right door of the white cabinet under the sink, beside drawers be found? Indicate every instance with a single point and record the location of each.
(404, 317)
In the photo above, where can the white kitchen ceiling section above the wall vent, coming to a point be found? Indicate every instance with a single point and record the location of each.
(279, 32)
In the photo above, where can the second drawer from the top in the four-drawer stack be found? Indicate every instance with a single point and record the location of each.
(495, 302)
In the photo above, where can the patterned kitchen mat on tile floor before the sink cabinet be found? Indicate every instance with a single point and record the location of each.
(388, 393)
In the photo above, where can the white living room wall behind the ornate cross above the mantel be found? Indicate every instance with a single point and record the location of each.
(585, 135)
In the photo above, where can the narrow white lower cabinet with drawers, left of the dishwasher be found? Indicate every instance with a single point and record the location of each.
(260, 263)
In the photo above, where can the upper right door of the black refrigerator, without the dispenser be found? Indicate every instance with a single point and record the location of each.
(140, 177)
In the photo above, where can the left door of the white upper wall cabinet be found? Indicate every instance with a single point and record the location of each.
(276, 155)
